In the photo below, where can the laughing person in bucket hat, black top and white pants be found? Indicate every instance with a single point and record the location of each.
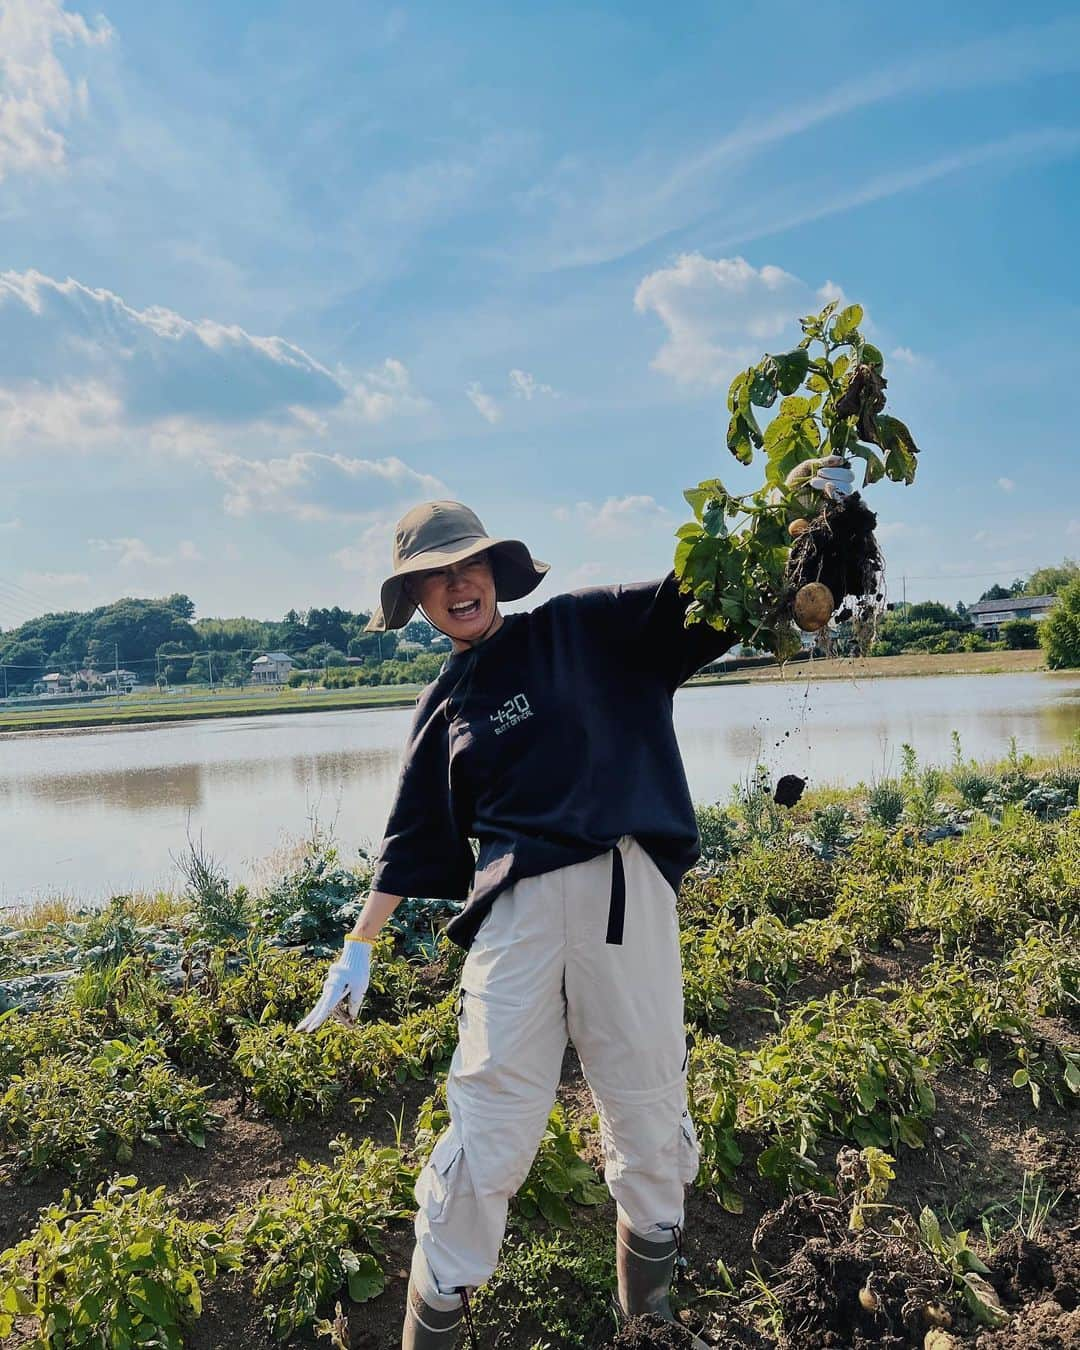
(549, 738)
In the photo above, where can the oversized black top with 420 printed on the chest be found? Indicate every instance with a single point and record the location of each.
(547, 743)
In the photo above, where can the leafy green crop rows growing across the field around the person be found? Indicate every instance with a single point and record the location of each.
(136, 1023)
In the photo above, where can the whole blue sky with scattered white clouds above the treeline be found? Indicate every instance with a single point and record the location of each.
(272, 273)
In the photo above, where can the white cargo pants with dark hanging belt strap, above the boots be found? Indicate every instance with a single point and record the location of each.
(560, 958)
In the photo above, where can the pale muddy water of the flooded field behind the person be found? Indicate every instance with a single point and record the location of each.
(94, 813)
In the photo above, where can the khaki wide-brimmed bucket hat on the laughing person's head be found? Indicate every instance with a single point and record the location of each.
(438, 534)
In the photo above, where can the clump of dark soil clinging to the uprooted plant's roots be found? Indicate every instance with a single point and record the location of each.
(840, 551)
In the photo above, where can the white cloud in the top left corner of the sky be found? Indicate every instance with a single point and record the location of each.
(38, 98)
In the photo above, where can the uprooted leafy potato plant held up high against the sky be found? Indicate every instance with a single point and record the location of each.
(739, 558)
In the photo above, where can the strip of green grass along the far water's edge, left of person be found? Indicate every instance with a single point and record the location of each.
(138, 709)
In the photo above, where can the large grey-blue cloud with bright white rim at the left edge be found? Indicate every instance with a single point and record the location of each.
(83, 369)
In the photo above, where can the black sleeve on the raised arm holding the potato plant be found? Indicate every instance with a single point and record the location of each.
(651, 618)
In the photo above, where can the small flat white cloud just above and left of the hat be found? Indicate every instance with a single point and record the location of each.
(310, 485)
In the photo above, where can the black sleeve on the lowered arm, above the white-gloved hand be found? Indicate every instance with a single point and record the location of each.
(426, 848)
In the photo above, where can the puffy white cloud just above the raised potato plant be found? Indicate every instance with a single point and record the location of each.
(719, 313)
